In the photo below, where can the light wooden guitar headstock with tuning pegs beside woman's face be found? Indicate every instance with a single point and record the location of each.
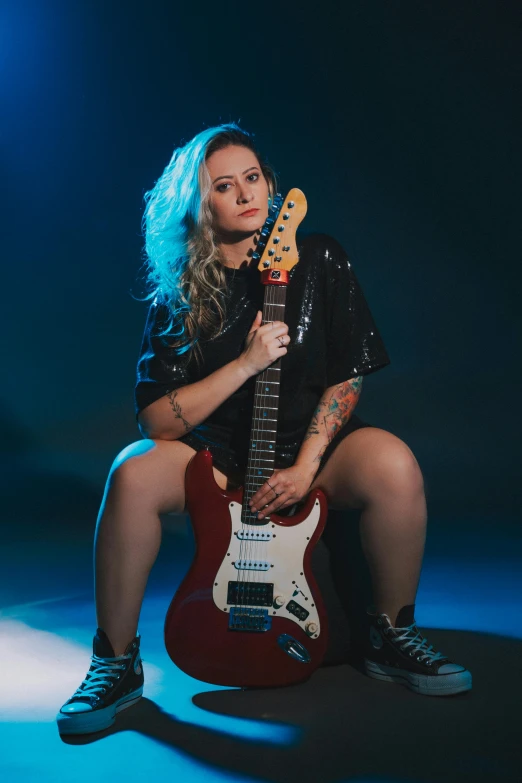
(277, 247)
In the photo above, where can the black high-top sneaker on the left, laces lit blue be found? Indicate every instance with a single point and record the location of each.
(113, 683)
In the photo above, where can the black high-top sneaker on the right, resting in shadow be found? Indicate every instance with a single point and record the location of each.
(401, 654)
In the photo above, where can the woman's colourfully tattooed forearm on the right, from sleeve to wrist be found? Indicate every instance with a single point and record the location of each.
(333, 411)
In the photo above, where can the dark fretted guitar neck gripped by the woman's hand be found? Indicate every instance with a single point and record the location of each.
(261, 455)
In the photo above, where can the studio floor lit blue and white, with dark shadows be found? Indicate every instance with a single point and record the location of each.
(339, 726)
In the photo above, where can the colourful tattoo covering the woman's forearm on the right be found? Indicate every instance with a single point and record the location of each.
(334, 410)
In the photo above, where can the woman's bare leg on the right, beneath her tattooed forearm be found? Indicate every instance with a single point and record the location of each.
(373, 470)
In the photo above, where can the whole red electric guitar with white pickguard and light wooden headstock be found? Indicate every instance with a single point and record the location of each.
(249, 612)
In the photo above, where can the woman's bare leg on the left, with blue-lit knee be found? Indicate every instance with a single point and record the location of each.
(146, 479)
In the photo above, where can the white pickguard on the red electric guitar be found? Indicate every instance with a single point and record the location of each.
(284, 553)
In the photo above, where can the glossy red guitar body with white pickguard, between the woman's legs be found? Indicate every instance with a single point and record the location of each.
(278, 634)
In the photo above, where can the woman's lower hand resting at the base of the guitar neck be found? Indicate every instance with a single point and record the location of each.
(291, 484)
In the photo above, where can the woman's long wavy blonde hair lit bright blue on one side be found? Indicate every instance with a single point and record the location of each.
(183, 262)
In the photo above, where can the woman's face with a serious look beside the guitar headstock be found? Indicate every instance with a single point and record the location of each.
(238, 186)
